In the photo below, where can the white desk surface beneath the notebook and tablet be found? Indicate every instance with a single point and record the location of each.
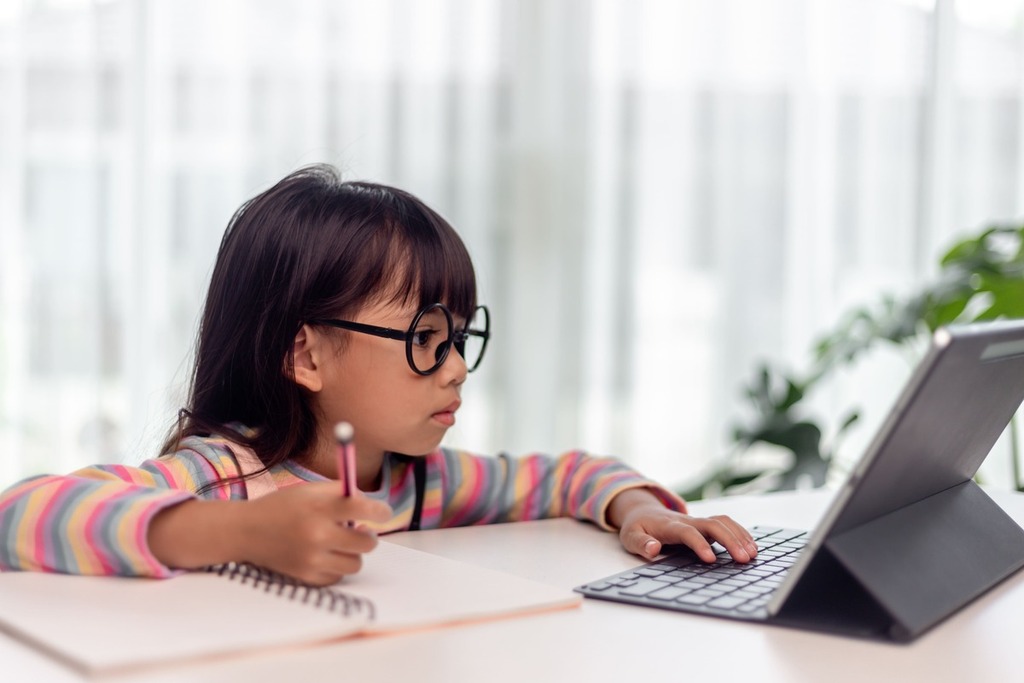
(603, 642)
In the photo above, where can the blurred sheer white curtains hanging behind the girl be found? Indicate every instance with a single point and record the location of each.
(658, 195)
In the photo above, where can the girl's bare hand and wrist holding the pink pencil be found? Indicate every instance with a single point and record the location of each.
(302, 532)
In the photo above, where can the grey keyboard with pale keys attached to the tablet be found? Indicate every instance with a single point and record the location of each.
(681, 581)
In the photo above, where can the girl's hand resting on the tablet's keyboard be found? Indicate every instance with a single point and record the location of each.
(645, 525)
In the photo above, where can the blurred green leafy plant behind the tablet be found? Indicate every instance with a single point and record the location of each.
(980, 278)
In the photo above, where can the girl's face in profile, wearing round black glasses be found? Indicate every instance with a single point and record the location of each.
(367, 381)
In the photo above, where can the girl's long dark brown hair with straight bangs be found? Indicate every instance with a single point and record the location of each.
(311, 247)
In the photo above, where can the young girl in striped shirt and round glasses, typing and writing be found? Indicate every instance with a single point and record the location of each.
(329, 302)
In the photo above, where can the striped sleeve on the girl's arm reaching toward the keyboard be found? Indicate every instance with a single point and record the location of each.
(464, 489)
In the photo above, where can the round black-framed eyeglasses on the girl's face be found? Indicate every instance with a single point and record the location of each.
(432, 336)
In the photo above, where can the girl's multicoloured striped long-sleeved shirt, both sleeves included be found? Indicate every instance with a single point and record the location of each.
(95, 522)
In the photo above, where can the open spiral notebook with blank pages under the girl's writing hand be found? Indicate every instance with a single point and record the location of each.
(99, 624)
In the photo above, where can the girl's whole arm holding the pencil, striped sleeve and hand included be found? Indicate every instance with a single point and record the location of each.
(148, 522)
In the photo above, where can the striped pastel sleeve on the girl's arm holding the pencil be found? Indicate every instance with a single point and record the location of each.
(95, 522)
